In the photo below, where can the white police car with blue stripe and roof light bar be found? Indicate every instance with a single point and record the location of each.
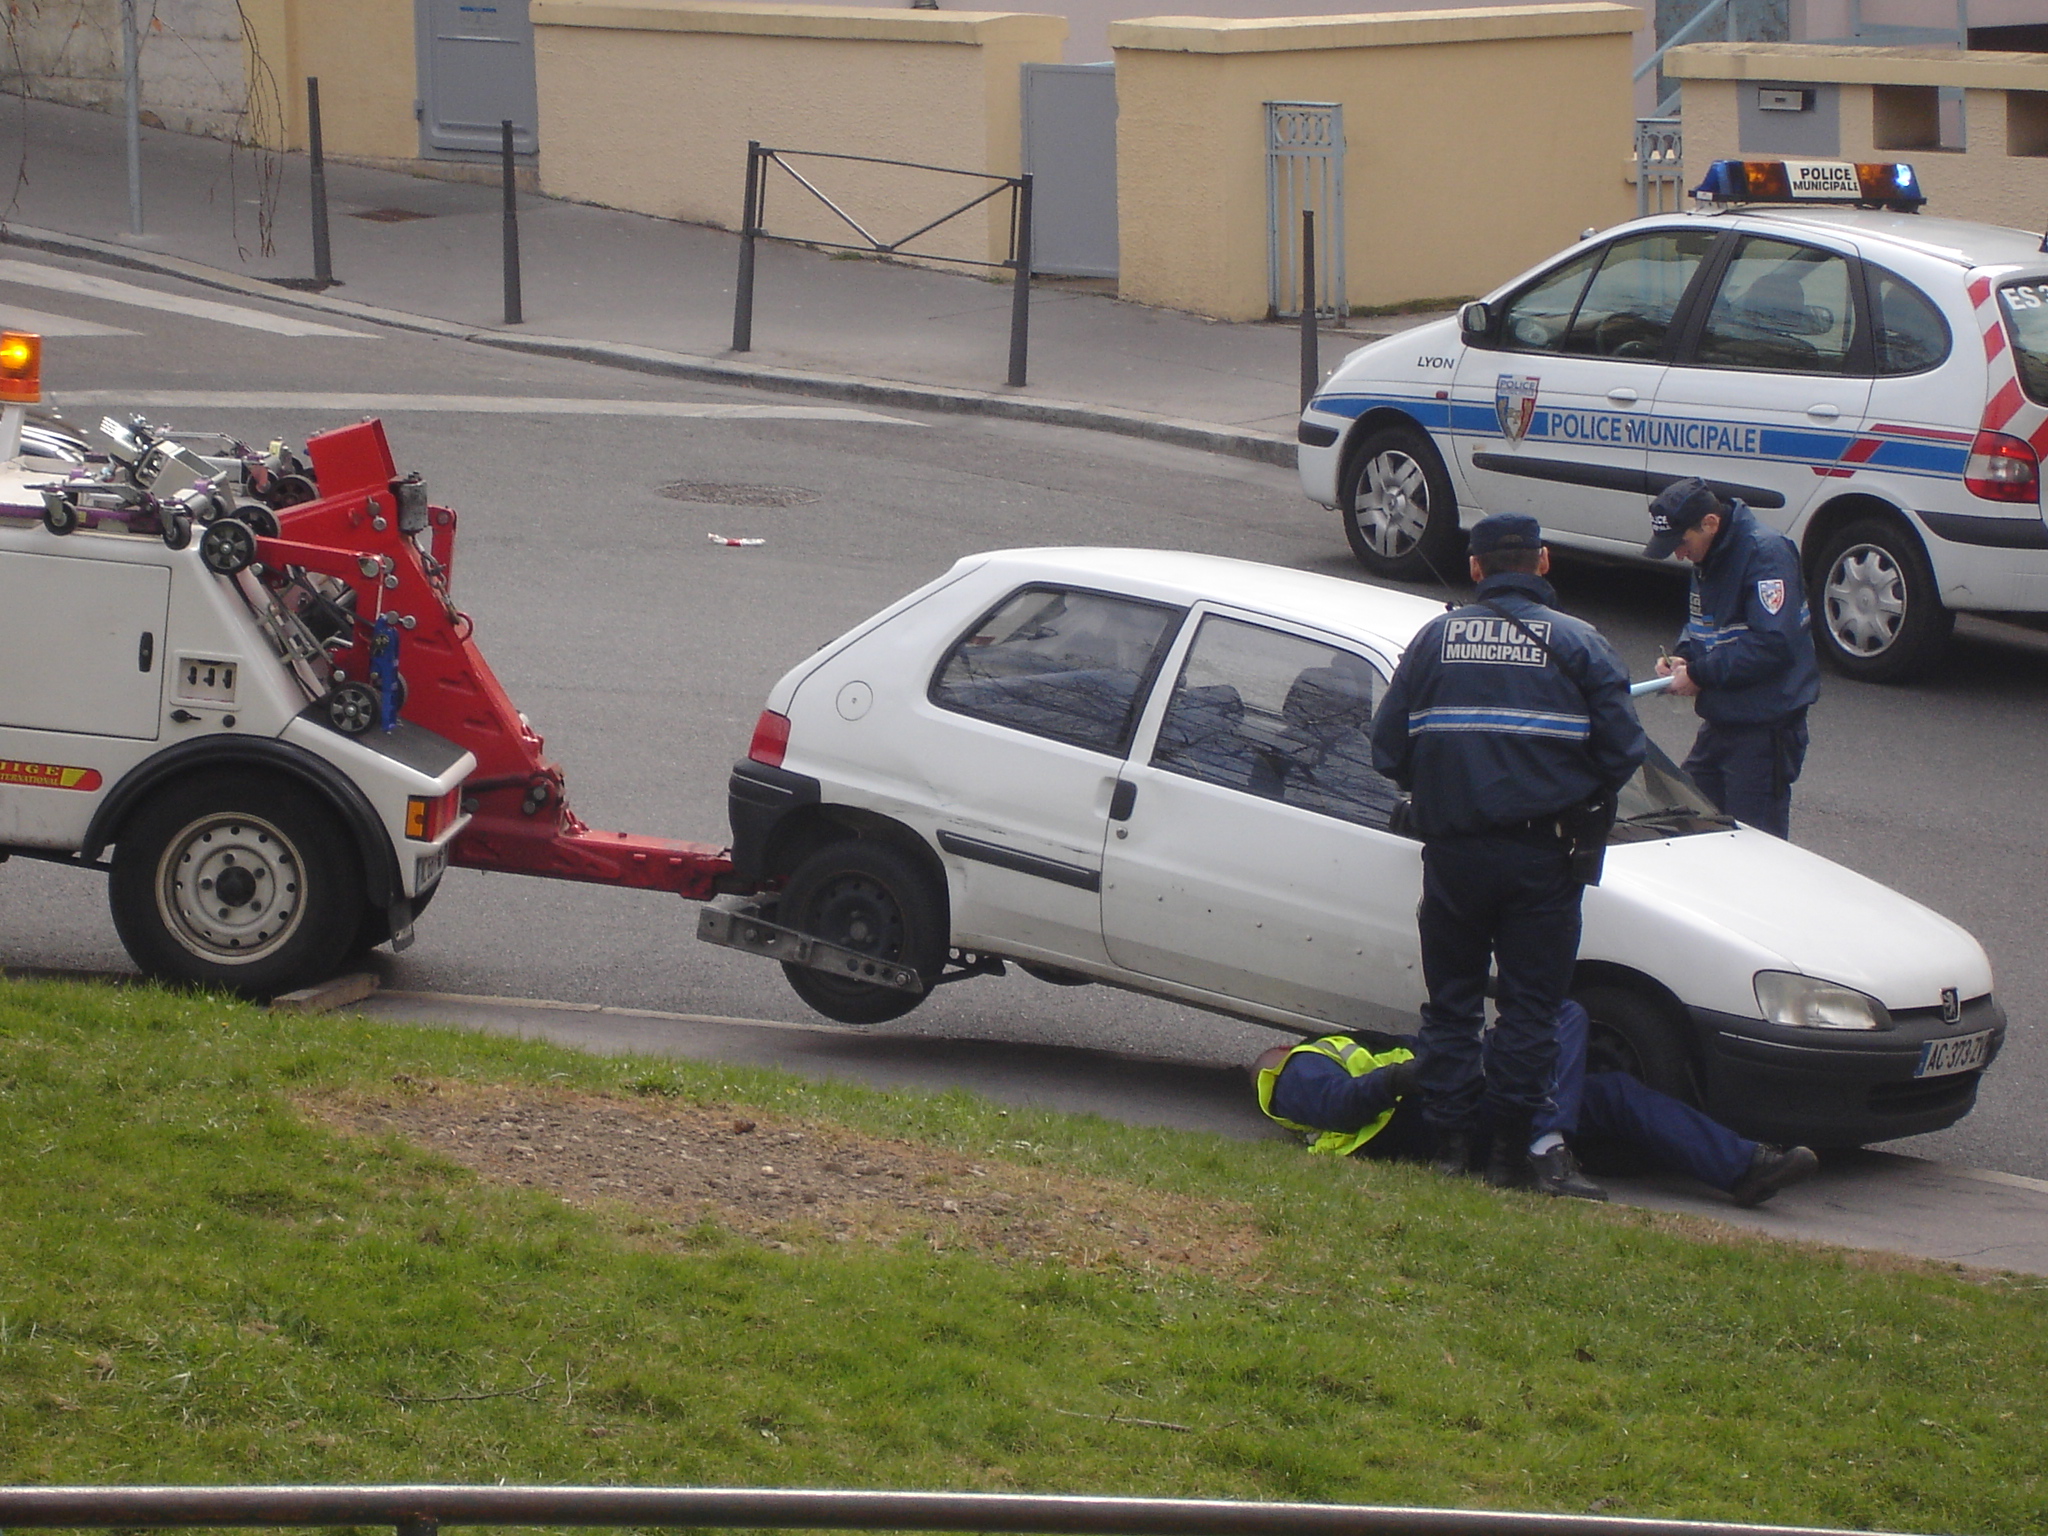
(1867, 380)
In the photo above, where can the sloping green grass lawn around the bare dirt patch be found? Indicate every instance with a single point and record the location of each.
(206, 1281)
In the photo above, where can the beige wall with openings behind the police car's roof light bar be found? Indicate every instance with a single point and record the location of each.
(1986, 181)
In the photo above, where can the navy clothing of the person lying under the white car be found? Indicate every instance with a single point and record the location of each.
(1607, 1107)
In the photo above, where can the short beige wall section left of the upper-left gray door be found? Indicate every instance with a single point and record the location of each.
(364, 56)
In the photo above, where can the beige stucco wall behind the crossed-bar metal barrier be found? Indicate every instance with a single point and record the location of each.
(685, 85)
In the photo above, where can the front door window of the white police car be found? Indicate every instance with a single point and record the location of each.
(1623, 312)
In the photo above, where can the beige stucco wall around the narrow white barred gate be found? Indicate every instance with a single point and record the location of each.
(1478, 142)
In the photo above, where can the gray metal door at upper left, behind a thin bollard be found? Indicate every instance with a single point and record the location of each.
(476, 71)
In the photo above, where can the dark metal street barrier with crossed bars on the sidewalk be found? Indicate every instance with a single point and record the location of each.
(755, 218)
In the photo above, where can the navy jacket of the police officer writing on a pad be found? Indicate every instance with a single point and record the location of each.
(1750, 640)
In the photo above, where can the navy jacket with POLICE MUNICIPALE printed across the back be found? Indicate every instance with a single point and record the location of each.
(1490, 730)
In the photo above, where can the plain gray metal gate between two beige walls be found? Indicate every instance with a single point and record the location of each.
(1070, 153)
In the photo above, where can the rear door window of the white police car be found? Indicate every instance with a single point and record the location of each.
(1781, 308)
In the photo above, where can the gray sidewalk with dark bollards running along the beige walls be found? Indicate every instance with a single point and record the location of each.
(648, 294)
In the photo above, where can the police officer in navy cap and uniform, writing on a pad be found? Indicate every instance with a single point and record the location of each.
(1746, 656)
